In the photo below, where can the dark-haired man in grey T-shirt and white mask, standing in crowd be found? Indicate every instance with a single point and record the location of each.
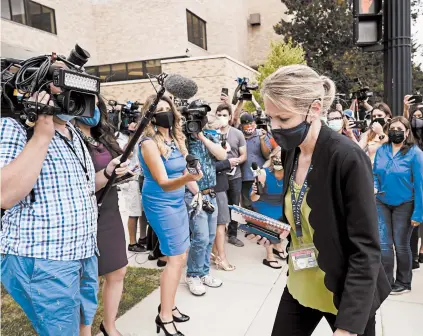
(237, 155)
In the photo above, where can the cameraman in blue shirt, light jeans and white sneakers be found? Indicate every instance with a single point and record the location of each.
(203, 221)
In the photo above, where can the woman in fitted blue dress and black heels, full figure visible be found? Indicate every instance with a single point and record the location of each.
(162, 155)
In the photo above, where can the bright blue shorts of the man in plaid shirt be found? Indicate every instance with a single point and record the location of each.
(56, 296)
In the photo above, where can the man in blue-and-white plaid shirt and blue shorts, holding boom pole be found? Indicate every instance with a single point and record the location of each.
(48, 242)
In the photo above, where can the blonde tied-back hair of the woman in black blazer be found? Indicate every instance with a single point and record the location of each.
(299, 85)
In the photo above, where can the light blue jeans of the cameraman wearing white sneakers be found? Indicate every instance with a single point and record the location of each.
(203, 232)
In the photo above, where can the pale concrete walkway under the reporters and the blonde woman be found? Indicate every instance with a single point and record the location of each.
(246, 304)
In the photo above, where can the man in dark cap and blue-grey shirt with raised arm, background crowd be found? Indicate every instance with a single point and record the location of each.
(258, 149)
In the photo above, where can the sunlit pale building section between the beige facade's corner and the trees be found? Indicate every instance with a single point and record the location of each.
(259, 37)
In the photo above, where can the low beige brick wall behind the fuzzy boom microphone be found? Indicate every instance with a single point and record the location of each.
(210, 74)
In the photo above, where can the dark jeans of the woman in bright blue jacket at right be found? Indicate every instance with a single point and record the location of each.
(395, 229)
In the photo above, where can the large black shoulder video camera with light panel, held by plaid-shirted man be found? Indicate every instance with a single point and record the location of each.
(20, 79)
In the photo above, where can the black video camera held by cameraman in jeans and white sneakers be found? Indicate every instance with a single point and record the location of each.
(195, 116)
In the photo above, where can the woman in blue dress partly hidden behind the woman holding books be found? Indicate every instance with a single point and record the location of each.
(270, 202)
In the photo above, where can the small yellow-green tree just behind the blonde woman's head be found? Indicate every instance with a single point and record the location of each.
(281, 54)
